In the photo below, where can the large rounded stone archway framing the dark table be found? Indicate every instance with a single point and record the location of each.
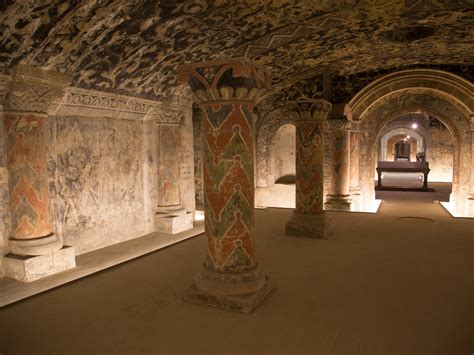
(442, 95)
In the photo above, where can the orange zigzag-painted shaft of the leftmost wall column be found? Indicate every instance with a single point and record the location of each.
(29, 196)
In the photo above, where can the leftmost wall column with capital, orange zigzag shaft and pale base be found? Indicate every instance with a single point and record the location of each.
(37, 251)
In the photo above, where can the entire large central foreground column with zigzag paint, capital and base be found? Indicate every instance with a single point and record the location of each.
(226, 92)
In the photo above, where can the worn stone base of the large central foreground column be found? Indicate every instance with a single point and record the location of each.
(238, 292)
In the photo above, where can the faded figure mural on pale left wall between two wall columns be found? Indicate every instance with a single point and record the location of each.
(95, 164)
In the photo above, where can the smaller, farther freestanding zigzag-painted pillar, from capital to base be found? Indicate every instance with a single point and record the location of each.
(309, 218)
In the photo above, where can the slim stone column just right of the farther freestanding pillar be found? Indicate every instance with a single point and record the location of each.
(338, 197)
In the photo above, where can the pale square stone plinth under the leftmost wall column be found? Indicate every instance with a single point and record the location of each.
(30, 268)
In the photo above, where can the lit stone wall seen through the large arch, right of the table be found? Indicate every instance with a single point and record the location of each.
(440, 154)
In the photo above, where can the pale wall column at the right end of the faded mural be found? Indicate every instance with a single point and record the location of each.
(171, 217)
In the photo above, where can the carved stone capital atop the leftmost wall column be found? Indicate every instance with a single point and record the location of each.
(33, 89)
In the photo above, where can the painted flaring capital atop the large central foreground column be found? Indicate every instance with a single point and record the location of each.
(236, 79)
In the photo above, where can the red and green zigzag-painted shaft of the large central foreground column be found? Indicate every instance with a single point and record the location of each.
(228, 187)
